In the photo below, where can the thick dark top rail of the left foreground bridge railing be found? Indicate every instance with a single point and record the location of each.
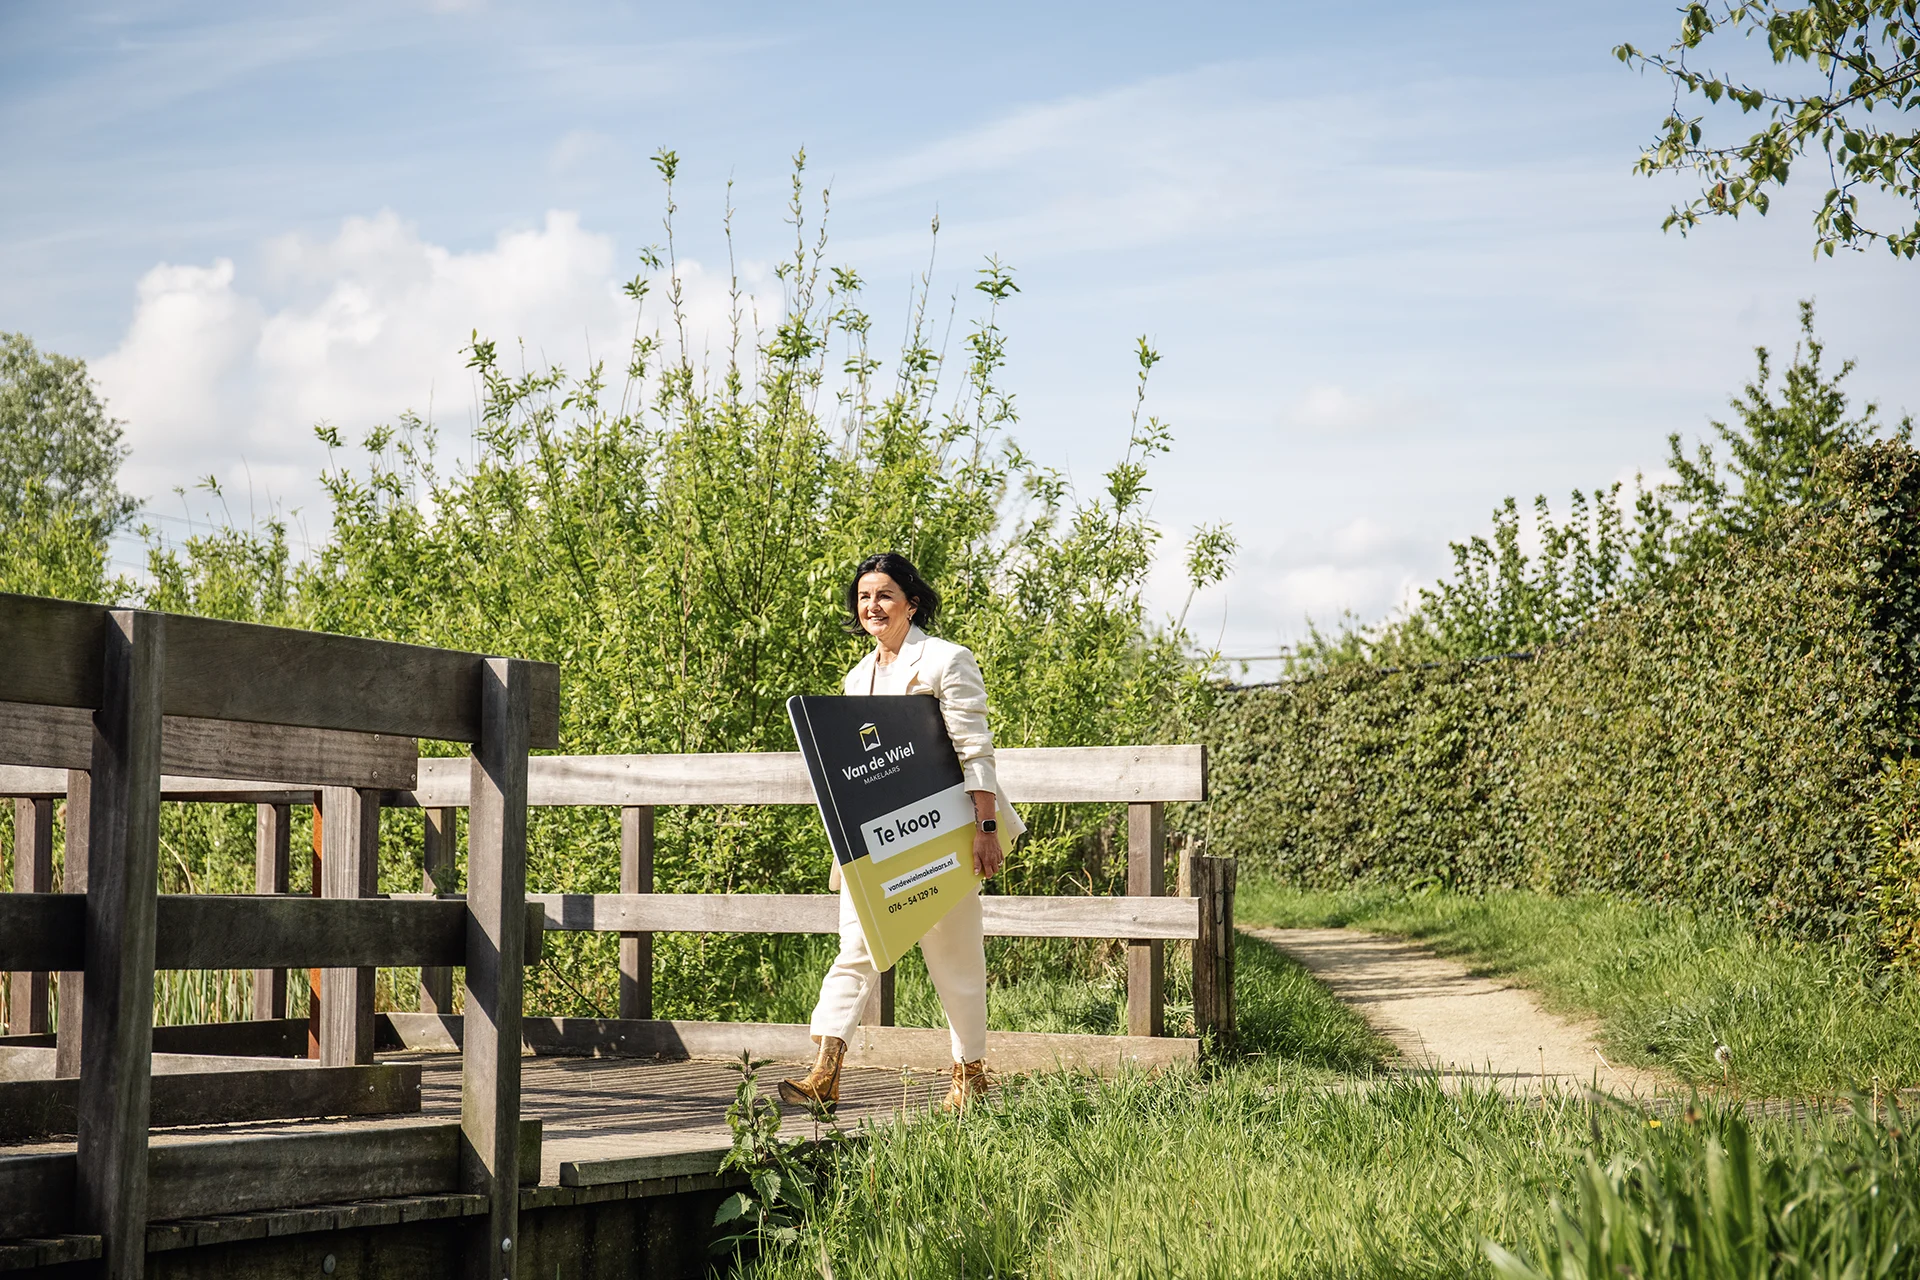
(239, 671)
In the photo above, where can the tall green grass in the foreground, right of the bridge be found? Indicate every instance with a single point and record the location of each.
(1191, 1175)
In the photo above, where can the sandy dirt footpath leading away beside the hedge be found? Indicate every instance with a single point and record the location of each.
(1441, 1018)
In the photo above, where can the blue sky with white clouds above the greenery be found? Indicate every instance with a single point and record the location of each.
(1395, 256)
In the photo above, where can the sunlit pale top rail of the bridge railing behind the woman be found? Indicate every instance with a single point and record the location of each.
(1030, 776)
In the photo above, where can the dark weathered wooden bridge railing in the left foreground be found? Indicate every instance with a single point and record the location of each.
(107, 703)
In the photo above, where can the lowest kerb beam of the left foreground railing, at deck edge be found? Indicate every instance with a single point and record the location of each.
(193, 1177)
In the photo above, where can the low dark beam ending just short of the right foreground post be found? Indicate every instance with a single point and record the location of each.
(224, 1097)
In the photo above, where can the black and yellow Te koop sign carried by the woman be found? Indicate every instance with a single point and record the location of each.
(898, 815)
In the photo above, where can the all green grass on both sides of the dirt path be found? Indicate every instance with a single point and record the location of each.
(1299, 1158)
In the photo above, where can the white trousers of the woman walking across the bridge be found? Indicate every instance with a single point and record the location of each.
(957, 962)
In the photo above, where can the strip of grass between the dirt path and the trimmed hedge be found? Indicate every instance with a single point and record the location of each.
(1800, 1020)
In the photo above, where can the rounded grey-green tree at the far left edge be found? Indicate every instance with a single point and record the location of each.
(59, 446)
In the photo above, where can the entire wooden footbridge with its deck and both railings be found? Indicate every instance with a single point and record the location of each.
(435, 1143)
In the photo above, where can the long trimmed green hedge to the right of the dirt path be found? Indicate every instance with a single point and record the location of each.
(1737, 738)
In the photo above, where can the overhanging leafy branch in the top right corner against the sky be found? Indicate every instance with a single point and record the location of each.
(1850, 70)
